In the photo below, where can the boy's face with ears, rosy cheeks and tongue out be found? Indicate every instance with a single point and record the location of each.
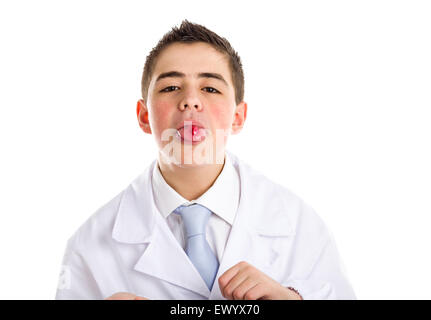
(201, 89)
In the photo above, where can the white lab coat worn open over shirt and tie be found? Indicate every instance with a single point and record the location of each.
(127, 246)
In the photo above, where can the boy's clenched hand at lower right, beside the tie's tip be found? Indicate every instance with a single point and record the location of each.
(245, 282)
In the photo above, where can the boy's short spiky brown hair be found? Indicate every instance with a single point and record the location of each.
(191, 32)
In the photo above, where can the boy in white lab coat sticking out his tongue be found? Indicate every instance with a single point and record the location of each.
(199, 223)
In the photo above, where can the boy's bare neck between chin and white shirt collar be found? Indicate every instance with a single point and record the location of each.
(190, 182)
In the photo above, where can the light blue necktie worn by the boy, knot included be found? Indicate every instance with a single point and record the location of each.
(195, 218)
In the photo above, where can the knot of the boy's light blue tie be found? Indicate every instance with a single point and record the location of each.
(195, 218)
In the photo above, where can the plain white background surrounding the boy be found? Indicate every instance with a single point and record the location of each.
(339, 112)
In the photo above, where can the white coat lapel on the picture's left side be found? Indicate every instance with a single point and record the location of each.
(138, 222)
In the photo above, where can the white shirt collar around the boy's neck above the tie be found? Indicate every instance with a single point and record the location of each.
(222, 198)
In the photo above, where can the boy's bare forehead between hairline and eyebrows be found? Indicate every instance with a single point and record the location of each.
(191, 59)
